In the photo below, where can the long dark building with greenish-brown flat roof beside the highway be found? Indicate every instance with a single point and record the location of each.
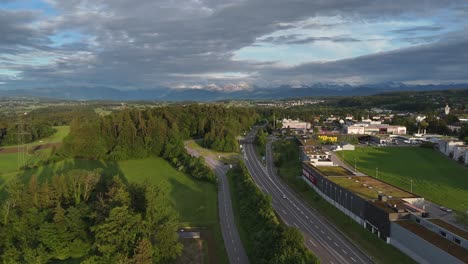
(370, 202)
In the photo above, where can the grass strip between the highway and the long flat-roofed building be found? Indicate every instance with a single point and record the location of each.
(289, 171)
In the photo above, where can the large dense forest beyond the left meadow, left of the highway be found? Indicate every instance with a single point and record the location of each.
(161, 132)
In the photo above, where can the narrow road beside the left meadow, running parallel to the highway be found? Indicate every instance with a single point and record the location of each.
(233, 244)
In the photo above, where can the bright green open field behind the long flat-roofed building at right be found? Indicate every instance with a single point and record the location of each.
(435, 177)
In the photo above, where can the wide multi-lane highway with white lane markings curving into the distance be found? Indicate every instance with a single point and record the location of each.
(321, 237)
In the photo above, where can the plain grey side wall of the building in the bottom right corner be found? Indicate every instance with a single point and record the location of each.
(417, 248)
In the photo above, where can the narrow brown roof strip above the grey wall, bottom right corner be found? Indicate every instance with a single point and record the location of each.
(435, 239)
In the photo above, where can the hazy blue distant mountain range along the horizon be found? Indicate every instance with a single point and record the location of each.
(258, 93)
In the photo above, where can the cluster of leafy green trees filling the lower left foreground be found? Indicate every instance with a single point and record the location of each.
(87, 218)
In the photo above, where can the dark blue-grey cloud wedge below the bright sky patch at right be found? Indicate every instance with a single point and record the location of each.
(440, 62)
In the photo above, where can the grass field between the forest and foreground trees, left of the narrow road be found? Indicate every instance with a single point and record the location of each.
(195, 201)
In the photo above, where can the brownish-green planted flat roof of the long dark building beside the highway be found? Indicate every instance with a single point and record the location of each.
(369, 188)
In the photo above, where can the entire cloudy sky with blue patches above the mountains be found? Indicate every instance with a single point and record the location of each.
(230, 44)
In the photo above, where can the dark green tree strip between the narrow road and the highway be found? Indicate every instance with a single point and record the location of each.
(269, 240)
